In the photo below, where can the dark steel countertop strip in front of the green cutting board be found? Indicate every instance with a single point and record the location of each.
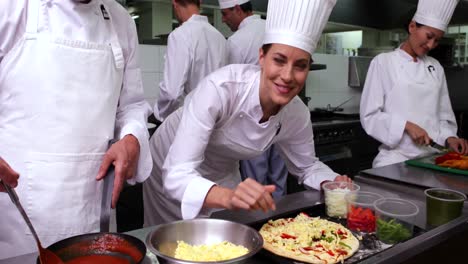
(422, 177)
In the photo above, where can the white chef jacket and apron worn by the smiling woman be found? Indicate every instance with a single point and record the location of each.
(201, 144)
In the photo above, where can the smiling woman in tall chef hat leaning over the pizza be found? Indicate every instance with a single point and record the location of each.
(236, 113)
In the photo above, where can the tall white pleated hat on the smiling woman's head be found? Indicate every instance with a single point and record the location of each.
(298, 23)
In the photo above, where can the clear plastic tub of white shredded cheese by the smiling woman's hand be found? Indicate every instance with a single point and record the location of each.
(335, 202)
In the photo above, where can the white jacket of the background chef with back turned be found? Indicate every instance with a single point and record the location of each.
(194, 50)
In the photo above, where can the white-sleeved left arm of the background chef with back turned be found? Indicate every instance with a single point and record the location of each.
(177, 64)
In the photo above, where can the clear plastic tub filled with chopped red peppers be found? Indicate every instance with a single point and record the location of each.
(361, 212)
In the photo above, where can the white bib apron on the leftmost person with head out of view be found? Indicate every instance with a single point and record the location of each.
(58, 102)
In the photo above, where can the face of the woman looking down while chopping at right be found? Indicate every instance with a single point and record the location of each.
(422, 39)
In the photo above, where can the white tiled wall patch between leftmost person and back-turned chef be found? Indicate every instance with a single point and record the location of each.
(151, 59)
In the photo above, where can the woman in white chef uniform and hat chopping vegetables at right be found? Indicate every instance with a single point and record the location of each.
(405, 102)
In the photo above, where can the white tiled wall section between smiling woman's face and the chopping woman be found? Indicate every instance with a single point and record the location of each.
(330, 86)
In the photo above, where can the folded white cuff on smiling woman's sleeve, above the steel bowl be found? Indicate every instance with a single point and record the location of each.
(194, 197)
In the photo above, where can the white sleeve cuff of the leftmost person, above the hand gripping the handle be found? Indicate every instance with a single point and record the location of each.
(145, 163)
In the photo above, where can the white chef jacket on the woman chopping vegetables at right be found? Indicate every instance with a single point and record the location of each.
(386, 105)
